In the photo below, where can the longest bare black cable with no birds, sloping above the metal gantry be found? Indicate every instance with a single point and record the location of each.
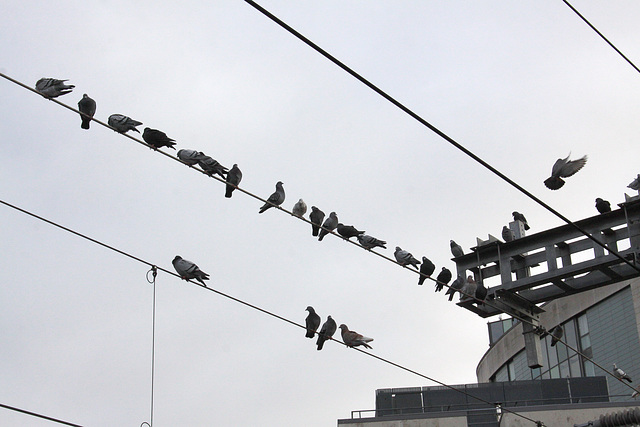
(437, 131)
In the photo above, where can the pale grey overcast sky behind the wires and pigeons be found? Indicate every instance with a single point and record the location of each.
(520, 84)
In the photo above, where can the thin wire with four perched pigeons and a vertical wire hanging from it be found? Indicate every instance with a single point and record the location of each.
(255, 307)
